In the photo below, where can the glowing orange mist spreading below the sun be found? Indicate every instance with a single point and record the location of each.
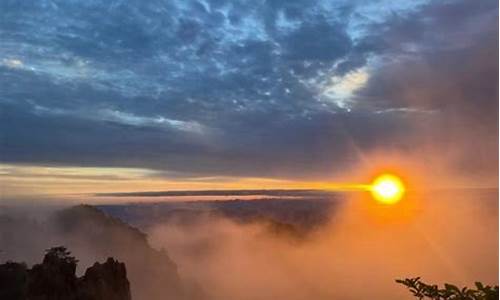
(440, 236)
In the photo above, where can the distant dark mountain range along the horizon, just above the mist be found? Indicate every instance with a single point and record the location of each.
(296, 217)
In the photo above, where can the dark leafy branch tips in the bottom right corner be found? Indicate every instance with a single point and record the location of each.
(422, 290)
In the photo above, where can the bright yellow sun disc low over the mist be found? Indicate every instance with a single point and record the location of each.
(387, 189)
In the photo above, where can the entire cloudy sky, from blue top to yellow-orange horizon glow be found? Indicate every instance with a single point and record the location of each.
(115, 96)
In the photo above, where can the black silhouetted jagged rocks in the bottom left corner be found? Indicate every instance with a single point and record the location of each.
(55, 279)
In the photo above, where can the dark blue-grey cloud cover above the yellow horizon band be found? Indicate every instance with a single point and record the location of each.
(220, 87)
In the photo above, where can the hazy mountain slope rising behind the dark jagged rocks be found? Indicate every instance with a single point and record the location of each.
(93, 235)
